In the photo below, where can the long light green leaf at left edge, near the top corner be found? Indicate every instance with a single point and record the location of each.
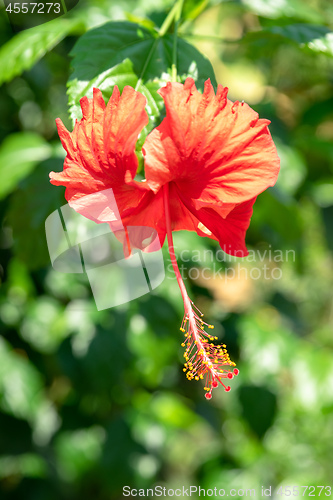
(29, 46)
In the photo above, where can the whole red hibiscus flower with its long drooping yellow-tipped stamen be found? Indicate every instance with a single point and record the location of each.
(205, 164)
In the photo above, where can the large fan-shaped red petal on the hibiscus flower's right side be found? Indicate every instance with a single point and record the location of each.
(218, 152)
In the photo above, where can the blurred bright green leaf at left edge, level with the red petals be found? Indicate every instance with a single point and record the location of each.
(19, 154)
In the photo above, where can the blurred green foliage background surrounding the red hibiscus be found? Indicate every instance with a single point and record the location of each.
(92, 401)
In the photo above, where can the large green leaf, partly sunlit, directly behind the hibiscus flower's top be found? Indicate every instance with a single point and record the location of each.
(124, 53)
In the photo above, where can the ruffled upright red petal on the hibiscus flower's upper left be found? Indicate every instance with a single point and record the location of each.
(101, 148)
